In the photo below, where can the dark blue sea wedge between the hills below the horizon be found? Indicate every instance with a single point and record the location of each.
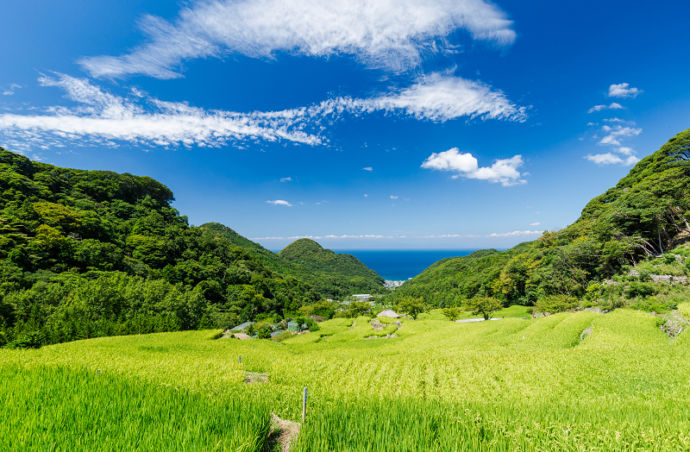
(399, 265)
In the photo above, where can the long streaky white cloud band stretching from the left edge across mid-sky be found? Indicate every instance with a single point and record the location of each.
(105, 118)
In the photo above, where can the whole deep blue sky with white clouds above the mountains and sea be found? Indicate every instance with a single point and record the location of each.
(365, 125)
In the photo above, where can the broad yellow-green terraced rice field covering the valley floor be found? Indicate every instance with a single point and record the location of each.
(508, 384)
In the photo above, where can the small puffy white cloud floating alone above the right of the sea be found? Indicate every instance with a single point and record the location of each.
(464, 164)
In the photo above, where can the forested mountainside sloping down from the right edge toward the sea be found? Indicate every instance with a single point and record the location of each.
(645, 214)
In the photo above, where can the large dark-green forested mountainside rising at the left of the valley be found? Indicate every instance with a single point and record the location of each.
(92, 253)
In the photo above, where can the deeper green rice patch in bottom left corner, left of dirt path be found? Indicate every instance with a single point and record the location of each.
(58, 408)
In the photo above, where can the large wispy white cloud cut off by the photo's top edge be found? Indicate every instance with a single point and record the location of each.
(390, 34)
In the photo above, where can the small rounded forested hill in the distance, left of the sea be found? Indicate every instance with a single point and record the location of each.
(329, 271)
